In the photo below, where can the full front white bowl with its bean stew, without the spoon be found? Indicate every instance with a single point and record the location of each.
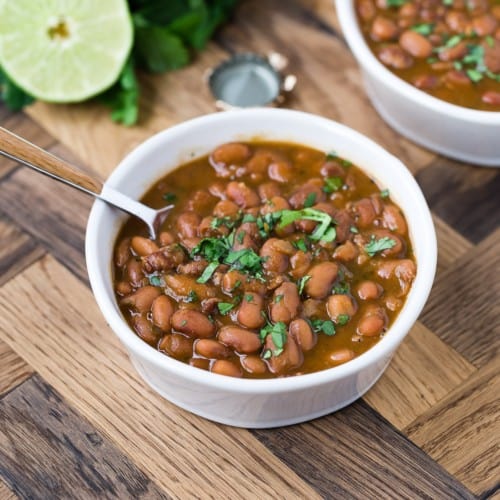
(296, 258)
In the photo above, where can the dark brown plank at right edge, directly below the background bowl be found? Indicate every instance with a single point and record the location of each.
(444, 182)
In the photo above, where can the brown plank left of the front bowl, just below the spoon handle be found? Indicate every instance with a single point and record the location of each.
(52, 213)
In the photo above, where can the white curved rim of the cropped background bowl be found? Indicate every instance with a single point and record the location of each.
(367, 60)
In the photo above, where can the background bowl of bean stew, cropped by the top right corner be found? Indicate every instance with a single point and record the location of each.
(432, 70)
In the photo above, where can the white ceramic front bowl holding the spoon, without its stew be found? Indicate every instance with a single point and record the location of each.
(246, 402)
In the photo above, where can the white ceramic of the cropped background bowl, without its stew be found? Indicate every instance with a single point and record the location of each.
(461, 133)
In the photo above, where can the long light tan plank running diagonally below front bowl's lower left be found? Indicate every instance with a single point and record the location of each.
(94, 375)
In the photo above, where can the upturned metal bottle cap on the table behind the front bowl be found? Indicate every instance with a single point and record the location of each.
(249, 80)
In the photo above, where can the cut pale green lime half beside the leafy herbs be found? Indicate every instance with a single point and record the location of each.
(64, 50)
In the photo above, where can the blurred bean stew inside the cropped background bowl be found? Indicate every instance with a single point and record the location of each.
(447, 48)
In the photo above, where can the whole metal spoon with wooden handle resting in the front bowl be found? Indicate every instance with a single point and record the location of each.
(22, 151)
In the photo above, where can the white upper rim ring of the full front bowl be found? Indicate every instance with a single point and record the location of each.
(381, 351)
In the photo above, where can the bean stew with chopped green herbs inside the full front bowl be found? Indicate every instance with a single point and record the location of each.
(276, 260)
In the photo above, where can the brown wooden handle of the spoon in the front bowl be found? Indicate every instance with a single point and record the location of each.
(17, 148)
